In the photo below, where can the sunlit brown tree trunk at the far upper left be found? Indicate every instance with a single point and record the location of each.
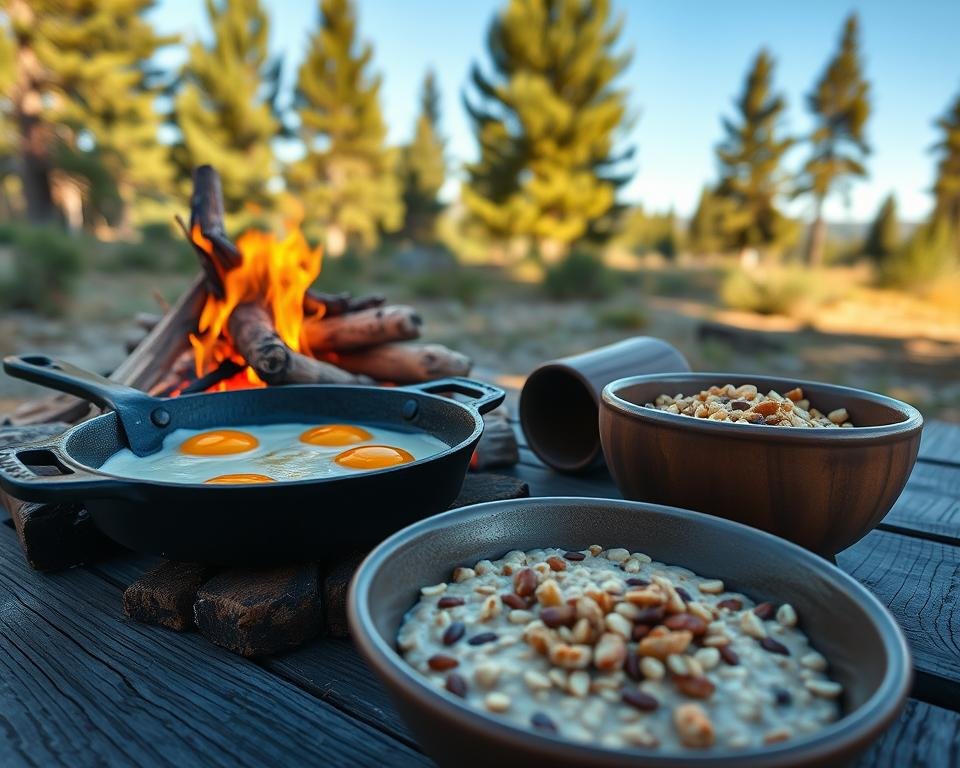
(34, 132)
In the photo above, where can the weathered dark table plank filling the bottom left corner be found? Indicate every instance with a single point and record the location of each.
(79, 686)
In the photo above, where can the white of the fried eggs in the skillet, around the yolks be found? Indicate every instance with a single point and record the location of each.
(280, 455)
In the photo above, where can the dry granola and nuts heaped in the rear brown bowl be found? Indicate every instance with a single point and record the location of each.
(744, 404)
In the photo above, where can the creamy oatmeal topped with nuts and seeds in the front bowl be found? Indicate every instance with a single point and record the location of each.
(610, 648)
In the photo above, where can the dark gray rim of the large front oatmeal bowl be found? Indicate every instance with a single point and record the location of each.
(850, 729)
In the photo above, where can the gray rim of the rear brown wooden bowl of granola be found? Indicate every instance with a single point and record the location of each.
(912, 419)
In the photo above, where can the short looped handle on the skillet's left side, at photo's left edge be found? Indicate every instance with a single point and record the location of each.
(67, 485)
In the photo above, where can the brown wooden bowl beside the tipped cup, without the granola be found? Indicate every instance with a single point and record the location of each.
(824, 489)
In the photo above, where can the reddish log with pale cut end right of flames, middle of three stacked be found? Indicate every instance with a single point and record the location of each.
(365, 328)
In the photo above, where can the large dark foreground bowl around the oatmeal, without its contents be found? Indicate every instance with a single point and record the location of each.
(866, 649)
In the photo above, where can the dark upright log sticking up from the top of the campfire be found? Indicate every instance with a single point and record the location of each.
(206, 213)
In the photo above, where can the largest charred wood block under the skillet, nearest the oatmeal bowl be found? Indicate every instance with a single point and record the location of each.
(258, 611)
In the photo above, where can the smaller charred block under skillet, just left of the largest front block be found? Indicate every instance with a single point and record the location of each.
(166, 595)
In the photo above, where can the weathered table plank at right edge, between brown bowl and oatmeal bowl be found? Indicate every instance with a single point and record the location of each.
(918, 580)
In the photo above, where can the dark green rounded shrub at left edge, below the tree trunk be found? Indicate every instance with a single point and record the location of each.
(46, 264)
